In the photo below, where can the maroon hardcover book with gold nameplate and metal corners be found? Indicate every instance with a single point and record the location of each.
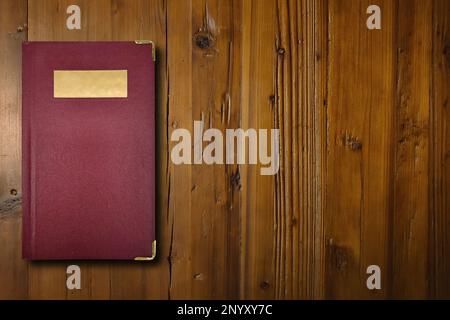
(88, 150)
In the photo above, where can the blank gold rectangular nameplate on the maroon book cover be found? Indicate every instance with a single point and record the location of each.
(90, 83)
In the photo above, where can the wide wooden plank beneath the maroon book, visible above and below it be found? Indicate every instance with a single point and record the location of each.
(109, 20)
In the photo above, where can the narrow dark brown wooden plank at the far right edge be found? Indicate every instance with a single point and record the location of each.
(440, 151)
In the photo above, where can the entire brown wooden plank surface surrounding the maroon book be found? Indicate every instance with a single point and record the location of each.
(364, 151)
